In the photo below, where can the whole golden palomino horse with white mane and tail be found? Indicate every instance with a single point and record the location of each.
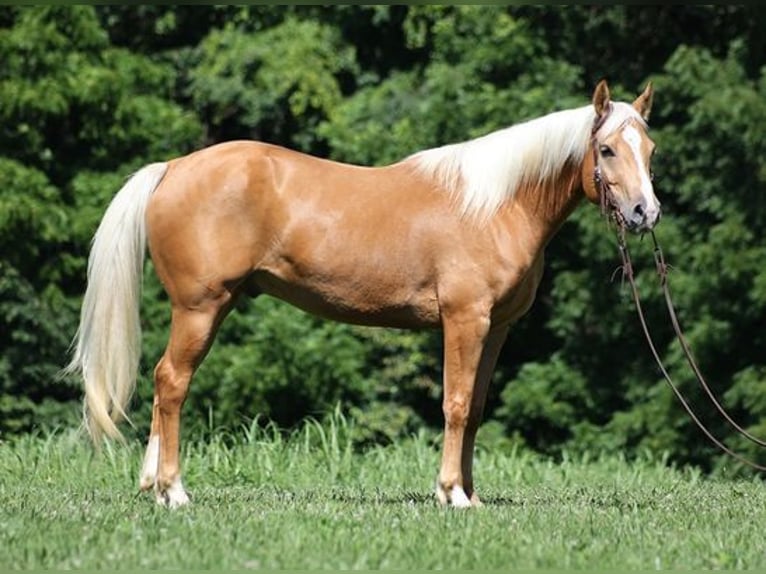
(450, 238)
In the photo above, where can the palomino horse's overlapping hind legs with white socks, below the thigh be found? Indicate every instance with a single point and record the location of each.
(191, 334)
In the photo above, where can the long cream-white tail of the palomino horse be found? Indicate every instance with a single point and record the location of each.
(107, 346)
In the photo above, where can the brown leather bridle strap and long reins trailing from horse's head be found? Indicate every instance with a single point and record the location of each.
(609, 209)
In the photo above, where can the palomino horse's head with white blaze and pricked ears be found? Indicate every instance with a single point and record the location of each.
(619, 175)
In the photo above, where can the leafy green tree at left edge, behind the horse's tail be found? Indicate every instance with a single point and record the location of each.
(73, 114)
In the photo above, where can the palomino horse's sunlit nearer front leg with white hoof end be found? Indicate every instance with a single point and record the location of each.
(464, 337)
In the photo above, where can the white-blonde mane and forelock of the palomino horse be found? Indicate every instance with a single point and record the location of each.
(484, 173)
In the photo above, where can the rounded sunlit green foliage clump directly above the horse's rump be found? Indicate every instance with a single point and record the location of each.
(271, 84)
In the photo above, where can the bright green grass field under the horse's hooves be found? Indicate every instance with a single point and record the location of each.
(308, 501)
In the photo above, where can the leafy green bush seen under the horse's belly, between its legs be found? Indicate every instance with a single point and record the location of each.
(275, 361)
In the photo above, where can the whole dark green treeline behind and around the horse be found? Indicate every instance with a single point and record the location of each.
(88, 94)
